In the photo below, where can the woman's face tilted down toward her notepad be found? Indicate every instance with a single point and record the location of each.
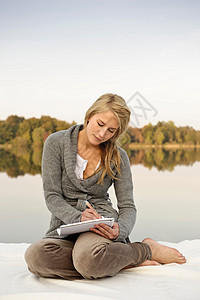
(101, 127)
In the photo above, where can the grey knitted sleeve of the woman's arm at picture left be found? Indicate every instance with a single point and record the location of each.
(52, 181)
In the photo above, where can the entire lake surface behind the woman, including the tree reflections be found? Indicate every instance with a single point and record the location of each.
(167, 202)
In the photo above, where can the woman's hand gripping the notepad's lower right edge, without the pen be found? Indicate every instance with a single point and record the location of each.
(106, 231)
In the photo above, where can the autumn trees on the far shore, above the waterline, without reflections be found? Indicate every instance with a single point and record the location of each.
(18, 131)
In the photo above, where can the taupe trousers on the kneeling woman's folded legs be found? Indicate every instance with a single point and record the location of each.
(88, 256)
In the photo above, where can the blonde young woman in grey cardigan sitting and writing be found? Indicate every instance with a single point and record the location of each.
(80, 164)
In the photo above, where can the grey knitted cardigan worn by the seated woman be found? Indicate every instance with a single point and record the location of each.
(65, 193)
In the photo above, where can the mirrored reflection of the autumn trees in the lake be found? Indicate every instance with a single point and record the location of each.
(161, 158)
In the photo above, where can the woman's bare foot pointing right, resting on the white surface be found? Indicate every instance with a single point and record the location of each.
(164, 254)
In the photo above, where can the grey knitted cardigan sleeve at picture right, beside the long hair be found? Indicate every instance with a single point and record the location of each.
(124, 194)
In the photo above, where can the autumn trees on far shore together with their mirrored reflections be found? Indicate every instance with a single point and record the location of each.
(21, 144)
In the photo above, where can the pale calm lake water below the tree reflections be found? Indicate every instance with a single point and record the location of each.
(168, 205)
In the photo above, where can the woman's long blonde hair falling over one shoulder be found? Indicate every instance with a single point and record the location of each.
(109, 149)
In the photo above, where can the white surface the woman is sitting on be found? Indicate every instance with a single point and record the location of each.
(166, 282)
